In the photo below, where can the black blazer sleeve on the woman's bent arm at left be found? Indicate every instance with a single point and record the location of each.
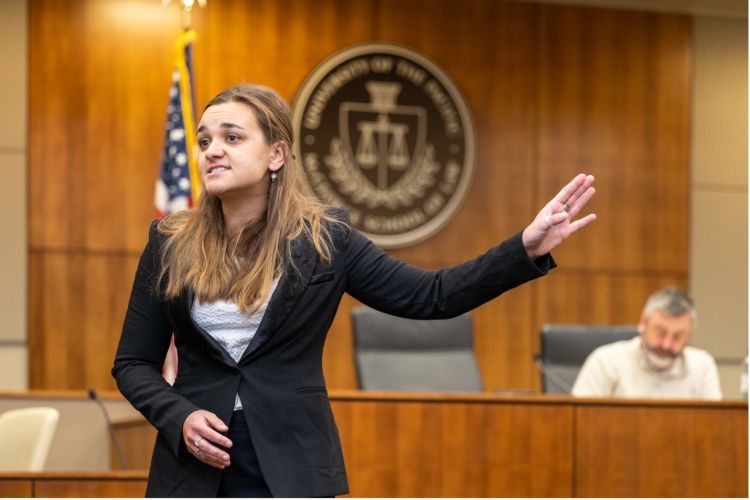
(143, 345)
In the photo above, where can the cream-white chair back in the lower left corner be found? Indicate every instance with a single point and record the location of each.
(25, 437)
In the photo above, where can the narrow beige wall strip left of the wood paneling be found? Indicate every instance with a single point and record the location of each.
(13, 54)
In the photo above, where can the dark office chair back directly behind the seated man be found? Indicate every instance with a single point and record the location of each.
(564, 348)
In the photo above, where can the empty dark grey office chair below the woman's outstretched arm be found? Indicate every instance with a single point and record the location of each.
(398, 354)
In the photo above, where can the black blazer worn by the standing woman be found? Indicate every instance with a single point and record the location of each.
(280, 378)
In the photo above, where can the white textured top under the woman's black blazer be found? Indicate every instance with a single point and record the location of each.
(231, 328)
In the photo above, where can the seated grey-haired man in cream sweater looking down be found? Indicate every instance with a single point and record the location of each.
(657, 363)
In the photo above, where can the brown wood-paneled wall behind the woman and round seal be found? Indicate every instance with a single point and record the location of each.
(553, 90)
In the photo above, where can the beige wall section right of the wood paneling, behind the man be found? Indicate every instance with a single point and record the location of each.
(718, 240)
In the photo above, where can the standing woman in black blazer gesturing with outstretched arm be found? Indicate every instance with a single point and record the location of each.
(248, 414)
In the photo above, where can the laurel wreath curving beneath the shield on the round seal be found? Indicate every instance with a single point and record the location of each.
(353, 183)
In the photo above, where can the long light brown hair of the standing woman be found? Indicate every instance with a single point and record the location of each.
(200, 253)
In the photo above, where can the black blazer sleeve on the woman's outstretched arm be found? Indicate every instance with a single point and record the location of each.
(394, 287)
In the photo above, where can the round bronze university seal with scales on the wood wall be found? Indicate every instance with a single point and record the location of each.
(383, 131)
